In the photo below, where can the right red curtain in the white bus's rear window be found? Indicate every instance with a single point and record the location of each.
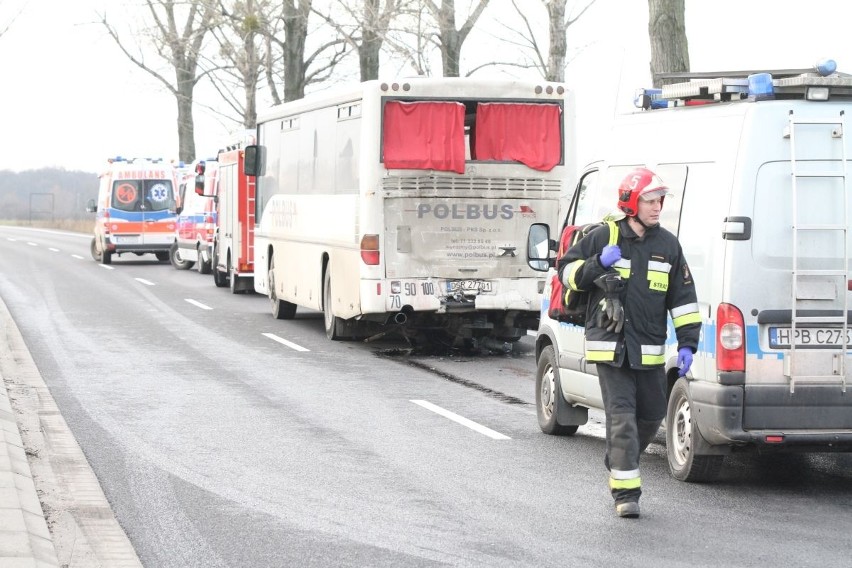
(526, 133)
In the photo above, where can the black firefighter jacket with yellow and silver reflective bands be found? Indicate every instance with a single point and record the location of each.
(658, 281)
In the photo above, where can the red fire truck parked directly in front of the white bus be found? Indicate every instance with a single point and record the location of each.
(232, 249)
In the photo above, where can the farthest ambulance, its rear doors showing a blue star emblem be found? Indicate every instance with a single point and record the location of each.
(135, 209)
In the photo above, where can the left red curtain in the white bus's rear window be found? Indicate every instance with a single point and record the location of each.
(423, 136)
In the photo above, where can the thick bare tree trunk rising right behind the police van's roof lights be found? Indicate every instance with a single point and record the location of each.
(667, 31)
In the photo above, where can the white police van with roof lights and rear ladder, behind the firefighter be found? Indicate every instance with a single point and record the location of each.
(761, 204)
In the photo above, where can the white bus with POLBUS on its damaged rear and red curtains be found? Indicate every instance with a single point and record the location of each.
(408, 204)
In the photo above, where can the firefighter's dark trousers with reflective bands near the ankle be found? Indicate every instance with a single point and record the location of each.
(635, 405)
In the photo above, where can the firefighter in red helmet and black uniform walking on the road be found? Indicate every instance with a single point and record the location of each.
(633, 285)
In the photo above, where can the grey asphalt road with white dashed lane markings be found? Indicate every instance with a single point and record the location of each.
(224, 437)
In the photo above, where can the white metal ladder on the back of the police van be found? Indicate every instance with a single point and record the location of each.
(826, 364)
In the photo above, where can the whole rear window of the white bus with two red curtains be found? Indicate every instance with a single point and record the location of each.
(439, 135)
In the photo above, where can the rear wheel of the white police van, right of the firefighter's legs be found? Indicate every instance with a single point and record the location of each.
(681, 434)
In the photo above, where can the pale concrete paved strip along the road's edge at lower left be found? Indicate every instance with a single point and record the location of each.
(53, 511)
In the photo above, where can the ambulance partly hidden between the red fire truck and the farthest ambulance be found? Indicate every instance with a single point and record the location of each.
(196, 217)
